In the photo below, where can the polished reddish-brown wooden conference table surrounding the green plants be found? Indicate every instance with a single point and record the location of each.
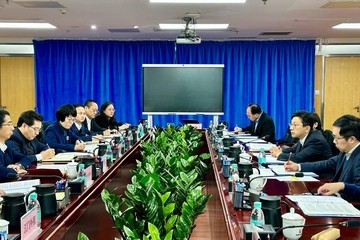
(220, 221)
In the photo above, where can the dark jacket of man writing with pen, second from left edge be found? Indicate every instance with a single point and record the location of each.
(20, 144)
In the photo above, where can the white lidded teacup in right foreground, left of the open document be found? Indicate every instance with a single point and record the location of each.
(292, 219)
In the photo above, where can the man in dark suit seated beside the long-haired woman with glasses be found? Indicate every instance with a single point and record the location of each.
(91, 109)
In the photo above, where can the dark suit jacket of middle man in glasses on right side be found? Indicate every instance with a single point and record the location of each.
(315, 148)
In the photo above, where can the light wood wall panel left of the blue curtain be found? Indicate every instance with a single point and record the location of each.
(17, 85)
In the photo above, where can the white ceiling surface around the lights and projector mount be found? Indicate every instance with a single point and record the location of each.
(303, 18)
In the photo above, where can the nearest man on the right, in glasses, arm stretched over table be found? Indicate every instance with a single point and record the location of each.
(346, 166)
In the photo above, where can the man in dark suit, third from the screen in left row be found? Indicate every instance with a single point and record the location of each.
(79, 129)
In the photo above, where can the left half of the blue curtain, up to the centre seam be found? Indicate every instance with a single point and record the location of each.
(71, 71)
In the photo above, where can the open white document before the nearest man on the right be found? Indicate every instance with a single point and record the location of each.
(328, 206)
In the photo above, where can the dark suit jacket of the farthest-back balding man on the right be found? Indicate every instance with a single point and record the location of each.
(265, 127)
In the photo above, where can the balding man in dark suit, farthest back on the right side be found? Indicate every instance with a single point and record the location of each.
(262, 124)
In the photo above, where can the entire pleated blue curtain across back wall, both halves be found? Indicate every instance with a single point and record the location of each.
(278, 75)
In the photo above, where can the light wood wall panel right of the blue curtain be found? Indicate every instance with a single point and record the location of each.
(342, 87)
